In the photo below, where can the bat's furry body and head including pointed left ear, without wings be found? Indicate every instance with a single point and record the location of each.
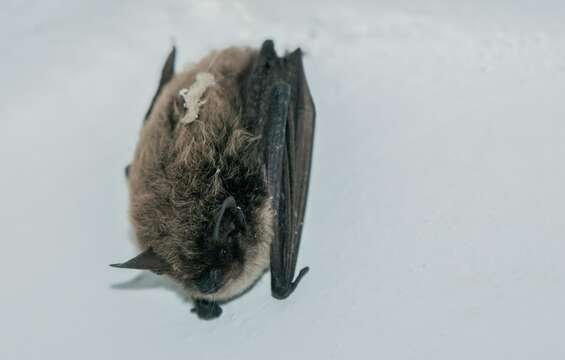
(198, 201)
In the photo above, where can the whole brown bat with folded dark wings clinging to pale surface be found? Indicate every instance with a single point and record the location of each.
(219, 180)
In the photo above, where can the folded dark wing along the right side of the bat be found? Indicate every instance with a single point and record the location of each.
(279, 103)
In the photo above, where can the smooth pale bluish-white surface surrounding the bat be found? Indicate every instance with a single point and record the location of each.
(435, 221)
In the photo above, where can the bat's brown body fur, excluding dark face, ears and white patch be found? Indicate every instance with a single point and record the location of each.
(180, 173)
